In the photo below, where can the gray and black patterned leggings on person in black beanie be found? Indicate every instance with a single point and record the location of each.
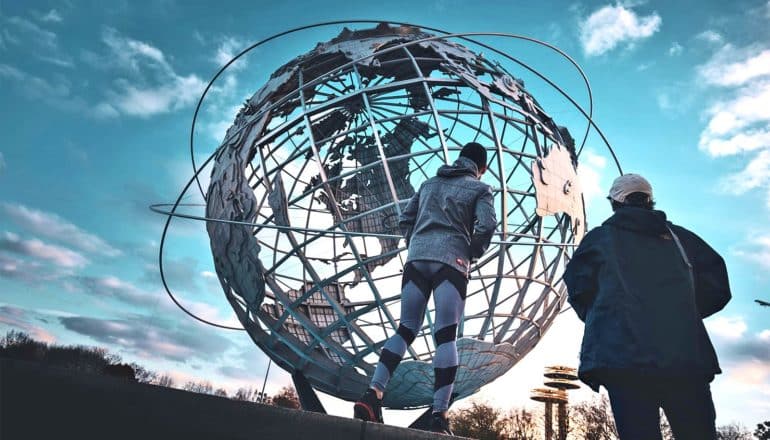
(419, 280)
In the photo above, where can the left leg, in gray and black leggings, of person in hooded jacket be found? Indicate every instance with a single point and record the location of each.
(415, 291)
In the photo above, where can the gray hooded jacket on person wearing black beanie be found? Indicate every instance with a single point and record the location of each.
(451, 218)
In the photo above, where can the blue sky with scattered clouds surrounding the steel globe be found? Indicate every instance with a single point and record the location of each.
(97, 100)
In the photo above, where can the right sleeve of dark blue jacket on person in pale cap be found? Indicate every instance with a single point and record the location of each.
(712, 286)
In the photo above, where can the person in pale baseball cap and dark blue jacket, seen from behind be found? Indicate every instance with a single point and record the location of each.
(643, 285)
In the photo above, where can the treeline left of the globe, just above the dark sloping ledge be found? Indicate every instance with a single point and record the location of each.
(94, 360)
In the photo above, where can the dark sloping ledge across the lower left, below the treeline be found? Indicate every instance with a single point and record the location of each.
(38, 402)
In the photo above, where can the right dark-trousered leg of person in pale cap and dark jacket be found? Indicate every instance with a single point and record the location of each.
(690, 410)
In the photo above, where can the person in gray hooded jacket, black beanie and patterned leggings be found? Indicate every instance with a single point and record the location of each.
(448, 224)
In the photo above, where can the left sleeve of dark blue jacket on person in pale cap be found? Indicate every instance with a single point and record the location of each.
(581, 276)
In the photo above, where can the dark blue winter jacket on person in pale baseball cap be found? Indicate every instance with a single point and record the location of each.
(641, 304)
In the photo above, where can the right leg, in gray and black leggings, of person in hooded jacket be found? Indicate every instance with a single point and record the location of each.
(449, 296)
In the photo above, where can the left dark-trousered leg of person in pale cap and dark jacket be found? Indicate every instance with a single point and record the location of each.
(635, 405)
